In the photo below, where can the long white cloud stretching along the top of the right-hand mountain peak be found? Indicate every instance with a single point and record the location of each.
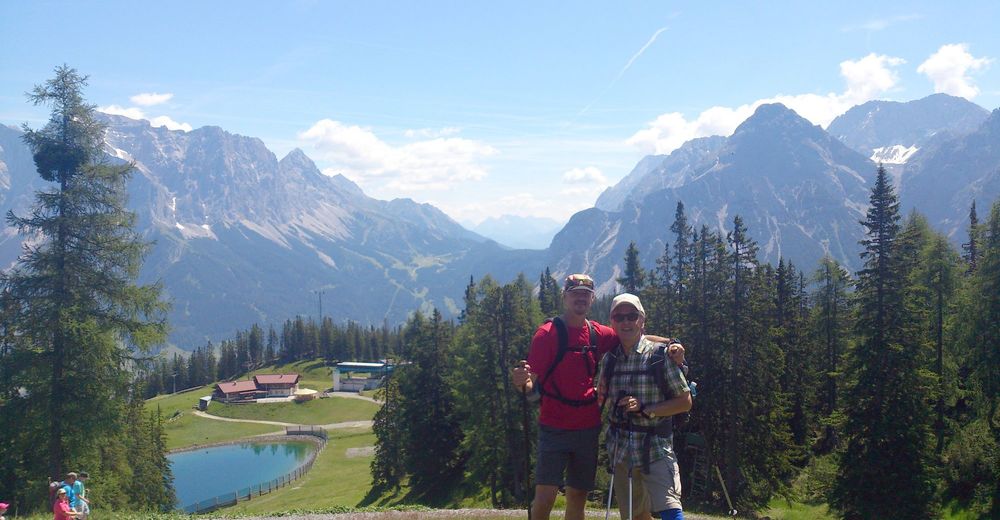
(866, 79)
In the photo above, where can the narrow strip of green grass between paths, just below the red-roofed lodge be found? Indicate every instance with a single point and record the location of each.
(317, 411)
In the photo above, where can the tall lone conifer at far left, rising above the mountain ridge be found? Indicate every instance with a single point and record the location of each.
(75, 293)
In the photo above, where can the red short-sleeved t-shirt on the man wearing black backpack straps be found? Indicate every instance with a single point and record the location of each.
(571, 376)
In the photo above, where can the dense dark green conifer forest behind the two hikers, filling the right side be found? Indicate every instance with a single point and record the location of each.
(876, 392)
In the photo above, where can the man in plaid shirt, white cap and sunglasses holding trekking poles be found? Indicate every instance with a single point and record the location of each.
(639, 435)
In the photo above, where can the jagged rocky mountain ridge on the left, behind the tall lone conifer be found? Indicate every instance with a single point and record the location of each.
(242, 237)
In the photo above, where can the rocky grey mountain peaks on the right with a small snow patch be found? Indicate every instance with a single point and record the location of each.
(801, 190)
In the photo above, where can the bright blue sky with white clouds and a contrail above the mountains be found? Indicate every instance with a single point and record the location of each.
(491, 108)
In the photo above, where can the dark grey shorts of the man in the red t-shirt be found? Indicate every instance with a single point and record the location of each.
(571, 451)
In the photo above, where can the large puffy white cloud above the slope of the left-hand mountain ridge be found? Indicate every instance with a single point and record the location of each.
(433, 164)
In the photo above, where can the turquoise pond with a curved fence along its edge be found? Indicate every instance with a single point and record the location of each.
(209, 472)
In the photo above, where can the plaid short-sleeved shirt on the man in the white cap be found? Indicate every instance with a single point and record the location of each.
(632, 377)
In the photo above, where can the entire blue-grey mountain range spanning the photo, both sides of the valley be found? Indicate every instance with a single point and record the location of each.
(242, 236)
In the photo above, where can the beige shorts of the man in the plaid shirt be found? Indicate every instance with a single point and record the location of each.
(657, 491)
